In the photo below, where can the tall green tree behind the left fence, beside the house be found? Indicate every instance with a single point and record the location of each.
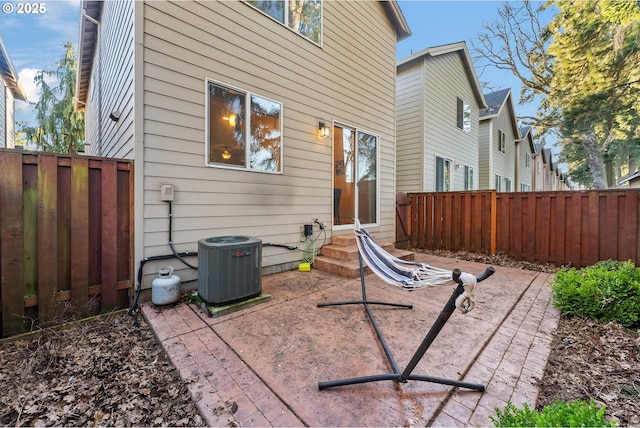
(60, 127)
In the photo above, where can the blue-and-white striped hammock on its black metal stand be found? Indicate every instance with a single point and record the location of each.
(365, 243)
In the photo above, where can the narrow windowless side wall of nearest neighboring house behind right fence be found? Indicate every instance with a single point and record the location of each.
(410, 128)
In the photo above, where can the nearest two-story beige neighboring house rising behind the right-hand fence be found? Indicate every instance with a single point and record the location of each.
(438, 102)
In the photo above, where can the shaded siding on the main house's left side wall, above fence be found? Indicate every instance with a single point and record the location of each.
(112, 84)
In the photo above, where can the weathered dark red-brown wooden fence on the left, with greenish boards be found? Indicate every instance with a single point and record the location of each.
(65, 237)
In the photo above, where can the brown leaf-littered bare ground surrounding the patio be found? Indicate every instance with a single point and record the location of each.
(111, 371)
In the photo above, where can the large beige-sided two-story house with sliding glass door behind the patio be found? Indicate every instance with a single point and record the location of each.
(224, 101)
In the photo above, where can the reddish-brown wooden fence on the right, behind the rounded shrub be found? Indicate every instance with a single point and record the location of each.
(576, 228)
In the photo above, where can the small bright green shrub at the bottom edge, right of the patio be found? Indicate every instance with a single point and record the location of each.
(559, 414)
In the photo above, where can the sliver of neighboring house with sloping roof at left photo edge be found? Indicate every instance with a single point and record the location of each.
(10, 90)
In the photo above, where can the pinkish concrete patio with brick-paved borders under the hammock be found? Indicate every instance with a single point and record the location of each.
(261, 366)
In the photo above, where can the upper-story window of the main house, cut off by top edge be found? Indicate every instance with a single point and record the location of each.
(302, 16)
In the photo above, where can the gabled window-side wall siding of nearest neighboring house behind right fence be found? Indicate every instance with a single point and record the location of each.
(446, 81)
